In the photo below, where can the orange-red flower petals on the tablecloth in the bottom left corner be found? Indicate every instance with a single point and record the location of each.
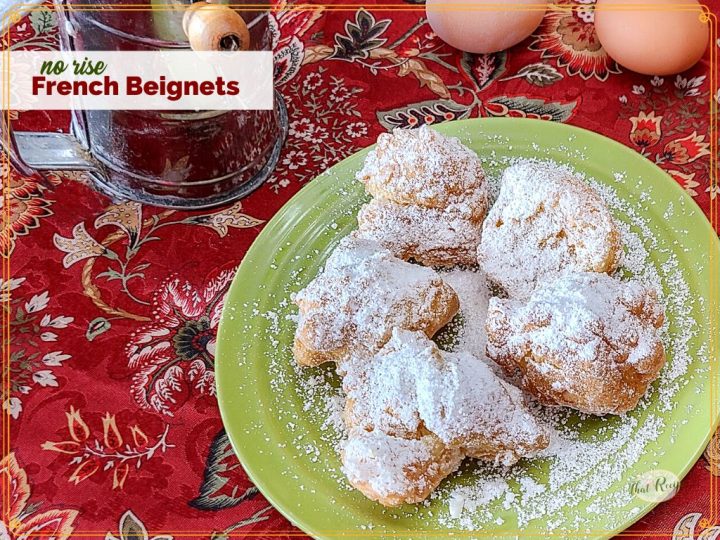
(23, 521)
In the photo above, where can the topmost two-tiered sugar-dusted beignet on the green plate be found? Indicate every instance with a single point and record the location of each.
(430, 197)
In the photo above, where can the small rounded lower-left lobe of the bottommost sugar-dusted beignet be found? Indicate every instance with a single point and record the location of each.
(393, 470)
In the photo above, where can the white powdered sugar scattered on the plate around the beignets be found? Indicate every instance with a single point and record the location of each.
(581, 467)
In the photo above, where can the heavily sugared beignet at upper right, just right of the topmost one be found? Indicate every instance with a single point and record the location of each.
(545, 221)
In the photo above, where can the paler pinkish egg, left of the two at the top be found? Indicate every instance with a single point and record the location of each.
(484, 31)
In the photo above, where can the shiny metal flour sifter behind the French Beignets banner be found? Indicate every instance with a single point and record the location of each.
(177, 159)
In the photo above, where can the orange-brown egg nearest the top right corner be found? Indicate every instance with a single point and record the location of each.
(659, 41)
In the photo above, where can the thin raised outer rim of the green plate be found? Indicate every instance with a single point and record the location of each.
(318, 182)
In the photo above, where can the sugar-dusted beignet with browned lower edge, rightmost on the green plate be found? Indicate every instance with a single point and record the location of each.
(584, 340)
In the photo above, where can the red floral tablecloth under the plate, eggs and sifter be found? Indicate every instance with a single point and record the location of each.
(102, 306)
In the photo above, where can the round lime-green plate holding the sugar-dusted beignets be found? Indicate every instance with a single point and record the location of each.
(276, 414)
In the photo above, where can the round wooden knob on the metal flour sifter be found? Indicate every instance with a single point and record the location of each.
(214, 27)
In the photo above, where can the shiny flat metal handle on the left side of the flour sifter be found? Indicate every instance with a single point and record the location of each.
(31, 152)
